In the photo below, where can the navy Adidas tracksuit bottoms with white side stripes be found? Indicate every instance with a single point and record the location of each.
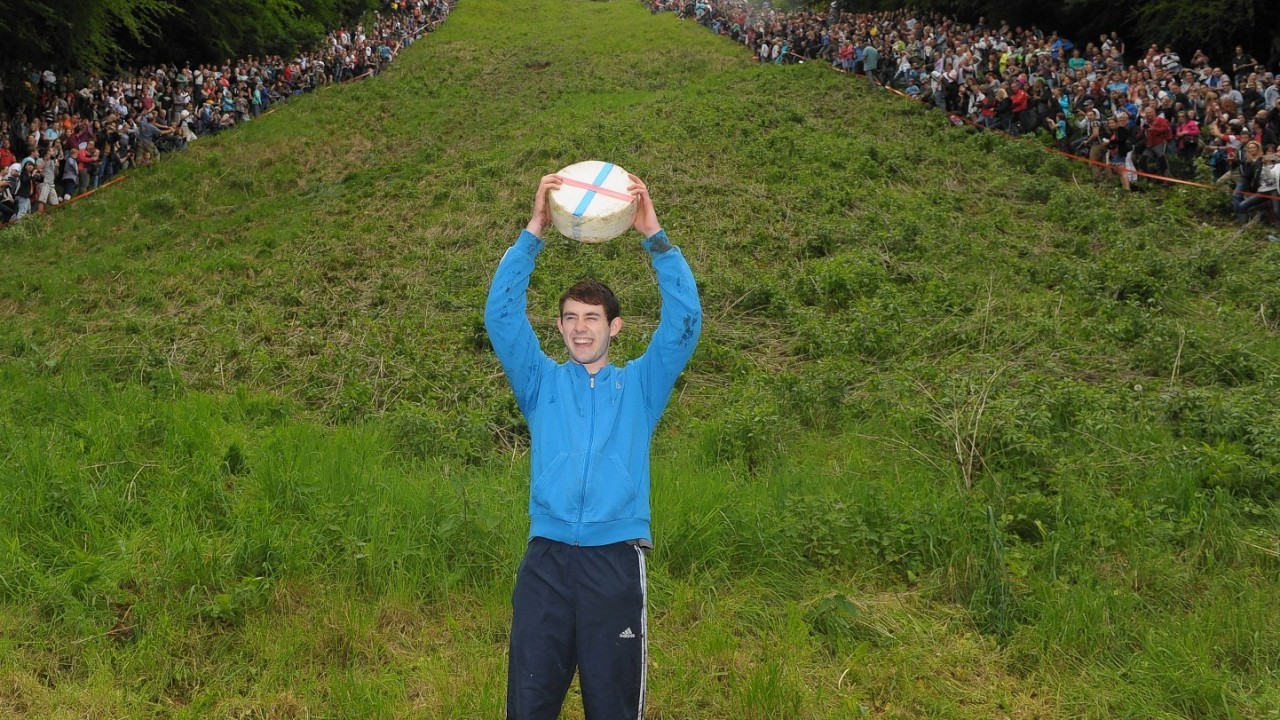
(578, 609)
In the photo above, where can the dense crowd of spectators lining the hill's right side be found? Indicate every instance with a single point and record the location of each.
(1126, 110)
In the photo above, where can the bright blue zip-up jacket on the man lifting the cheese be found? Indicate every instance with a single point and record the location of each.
(592, 435)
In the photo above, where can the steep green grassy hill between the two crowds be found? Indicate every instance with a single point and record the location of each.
(967, 435)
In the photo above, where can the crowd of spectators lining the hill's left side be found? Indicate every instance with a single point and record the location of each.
(81, 133)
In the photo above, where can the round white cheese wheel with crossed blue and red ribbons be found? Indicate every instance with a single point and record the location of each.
(593, 204)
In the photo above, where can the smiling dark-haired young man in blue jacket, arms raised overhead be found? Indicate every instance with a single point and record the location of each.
(580, 593)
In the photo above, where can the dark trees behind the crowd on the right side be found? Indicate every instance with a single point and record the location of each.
(1213, 26)
